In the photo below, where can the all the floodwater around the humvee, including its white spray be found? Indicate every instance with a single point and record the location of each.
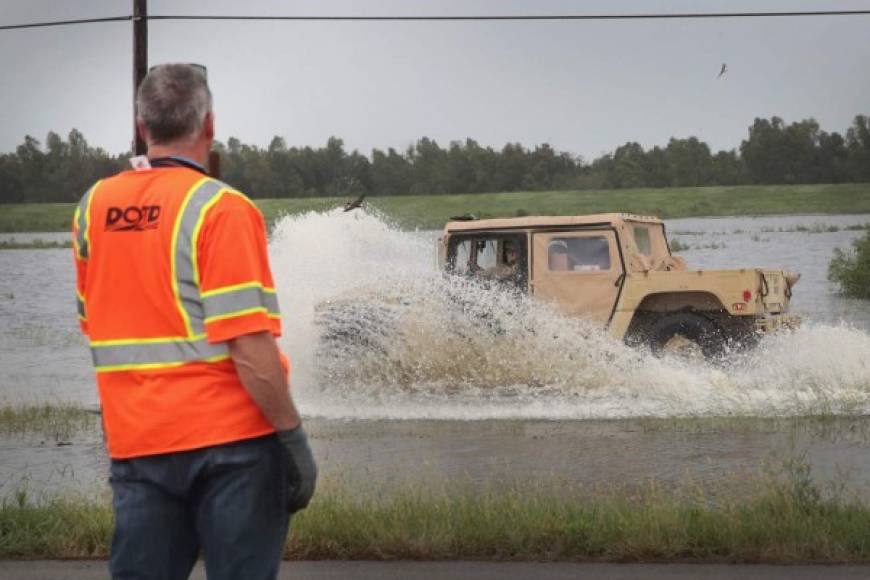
(445, 397)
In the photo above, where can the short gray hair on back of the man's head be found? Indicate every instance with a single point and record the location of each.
(172, 101)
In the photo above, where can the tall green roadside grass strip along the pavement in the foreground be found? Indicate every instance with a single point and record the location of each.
(787, 521)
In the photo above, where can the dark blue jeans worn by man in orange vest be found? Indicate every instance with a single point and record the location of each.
(229, 500)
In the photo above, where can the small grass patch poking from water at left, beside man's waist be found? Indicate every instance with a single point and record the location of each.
(56, 421)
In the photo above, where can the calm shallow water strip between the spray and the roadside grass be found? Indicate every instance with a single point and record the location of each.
(713, 457)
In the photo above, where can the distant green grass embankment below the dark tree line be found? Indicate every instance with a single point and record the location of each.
(432, 211)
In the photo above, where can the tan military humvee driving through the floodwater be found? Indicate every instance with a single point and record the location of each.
(618, 270)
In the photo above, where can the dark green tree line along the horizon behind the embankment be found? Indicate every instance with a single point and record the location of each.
(773, 153)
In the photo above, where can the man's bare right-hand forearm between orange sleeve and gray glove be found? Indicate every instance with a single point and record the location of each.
(259, 366)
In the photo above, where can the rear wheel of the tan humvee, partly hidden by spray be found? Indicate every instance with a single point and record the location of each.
(687, 336)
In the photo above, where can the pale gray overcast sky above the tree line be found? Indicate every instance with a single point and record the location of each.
(584, 87)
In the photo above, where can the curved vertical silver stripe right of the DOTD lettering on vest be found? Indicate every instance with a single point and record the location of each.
(185, 277)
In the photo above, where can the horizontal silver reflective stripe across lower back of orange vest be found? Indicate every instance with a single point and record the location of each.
(156, 353)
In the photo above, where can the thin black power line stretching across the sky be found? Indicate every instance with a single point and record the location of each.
(449, 18)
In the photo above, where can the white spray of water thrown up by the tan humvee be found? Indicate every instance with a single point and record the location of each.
(447, 349)
